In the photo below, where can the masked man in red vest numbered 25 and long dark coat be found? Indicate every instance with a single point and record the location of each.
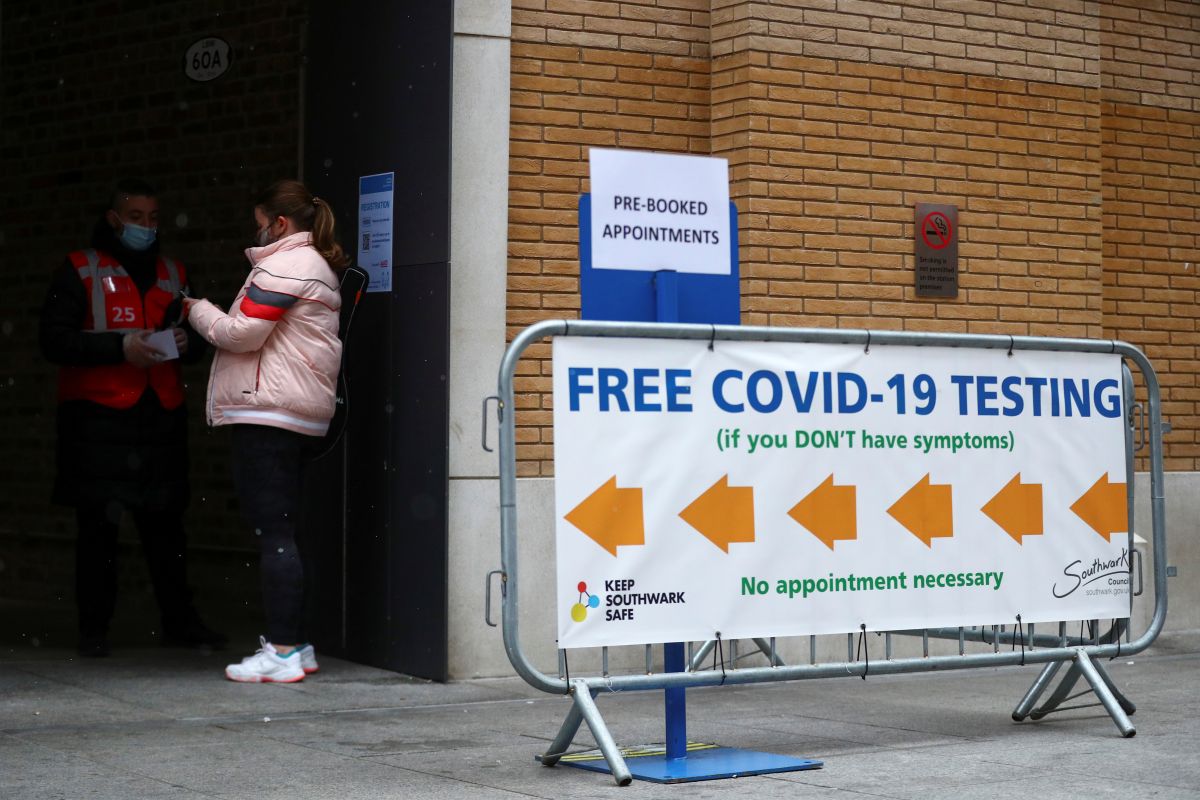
(112, 323)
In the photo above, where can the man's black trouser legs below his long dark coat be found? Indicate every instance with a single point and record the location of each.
(165, 546)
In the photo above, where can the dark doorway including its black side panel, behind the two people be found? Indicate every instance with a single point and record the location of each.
(94, 92)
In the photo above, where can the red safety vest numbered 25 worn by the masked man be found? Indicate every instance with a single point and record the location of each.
(116, 306)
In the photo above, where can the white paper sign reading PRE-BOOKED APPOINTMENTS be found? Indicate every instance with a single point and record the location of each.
(659, 212)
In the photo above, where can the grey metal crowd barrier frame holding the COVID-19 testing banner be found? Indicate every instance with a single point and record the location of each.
(1084, 653)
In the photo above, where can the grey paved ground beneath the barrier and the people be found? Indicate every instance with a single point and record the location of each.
(153, 724)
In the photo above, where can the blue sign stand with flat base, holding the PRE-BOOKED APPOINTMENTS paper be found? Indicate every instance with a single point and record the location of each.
(674, 297)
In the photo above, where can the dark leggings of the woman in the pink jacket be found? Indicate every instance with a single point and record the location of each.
(267, 473)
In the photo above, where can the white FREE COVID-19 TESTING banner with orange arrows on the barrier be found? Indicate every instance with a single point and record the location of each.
(779, 489)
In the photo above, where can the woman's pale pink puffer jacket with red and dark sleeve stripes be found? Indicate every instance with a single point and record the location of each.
(278, 350)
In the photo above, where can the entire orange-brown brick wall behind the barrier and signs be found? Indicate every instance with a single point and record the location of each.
(839, 116)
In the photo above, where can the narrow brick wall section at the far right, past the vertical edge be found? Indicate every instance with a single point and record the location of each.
(1151, 167)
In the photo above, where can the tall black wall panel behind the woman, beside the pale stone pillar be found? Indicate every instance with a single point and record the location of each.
(379, 87)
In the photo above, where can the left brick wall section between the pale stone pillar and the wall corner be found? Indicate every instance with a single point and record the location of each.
(610, 75)
